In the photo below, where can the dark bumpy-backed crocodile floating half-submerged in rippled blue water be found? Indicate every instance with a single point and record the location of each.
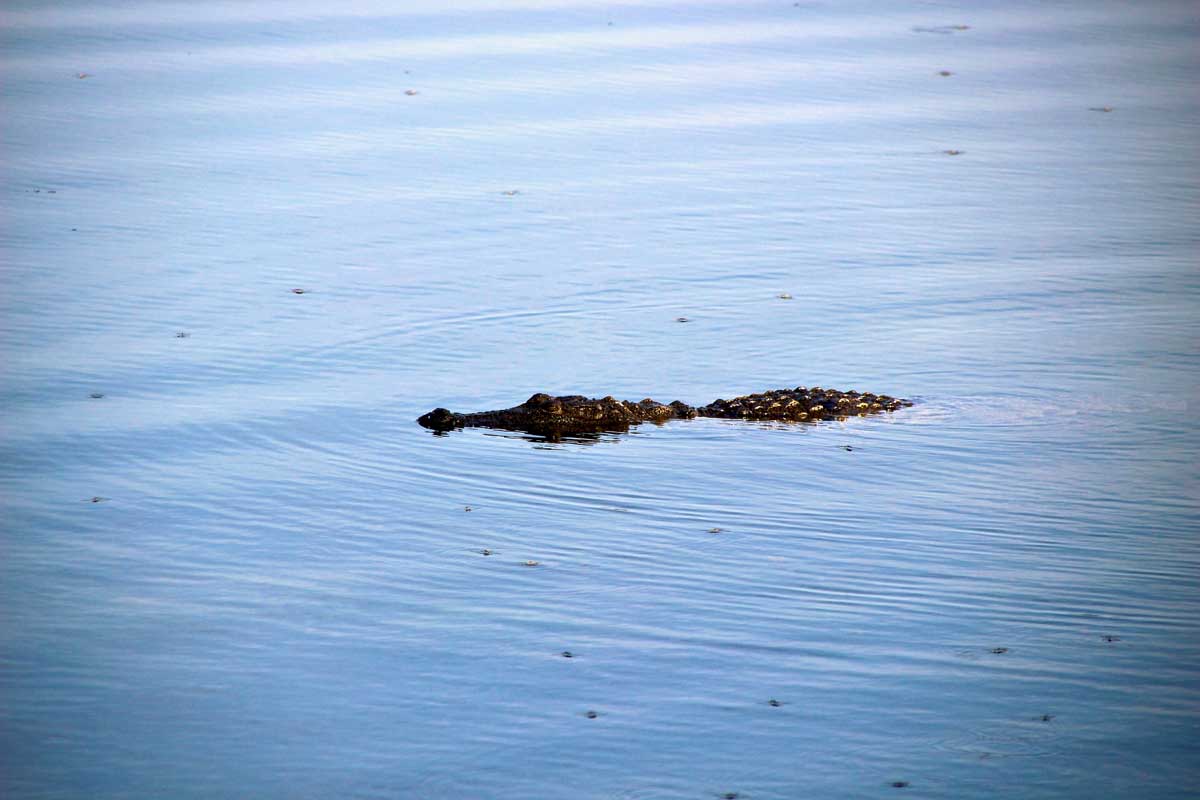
(574, 414)
